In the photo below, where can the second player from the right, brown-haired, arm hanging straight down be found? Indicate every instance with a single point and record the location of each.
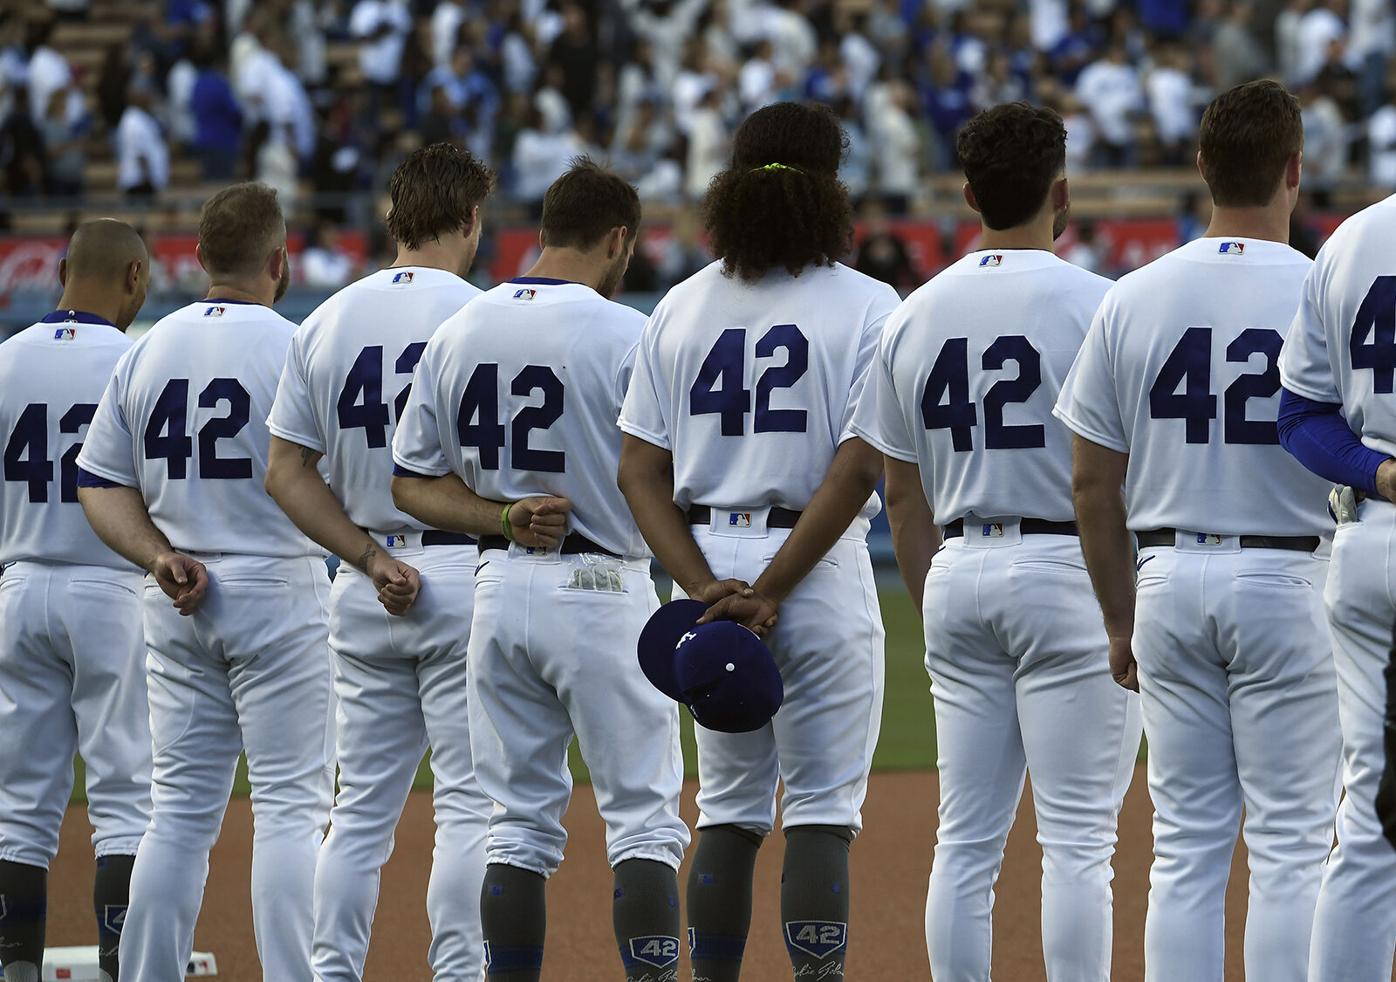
(1175, 396)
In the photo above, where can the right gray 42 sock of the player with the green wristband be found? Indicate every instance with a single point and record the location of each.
(646, 914)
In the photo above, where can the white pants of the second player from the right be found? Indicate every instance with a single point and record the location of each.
(1240, 708)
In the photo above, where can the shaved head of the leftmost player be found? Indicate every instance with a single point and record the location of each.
(107, 272)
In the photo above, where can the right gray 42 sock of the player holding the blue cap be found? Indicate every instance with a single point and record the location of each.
(815, 900)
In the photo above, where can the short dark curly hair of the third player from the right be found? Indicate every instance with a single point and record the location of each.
(1011, 156)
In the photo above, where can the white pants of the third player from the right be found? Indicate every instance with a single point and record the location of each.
(1021, 682)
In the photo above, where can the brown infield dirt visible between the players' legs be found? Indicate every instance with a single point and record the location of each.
(891, 863)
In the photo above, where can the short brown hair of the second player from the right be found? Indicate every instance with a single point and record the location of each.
(1249, 136)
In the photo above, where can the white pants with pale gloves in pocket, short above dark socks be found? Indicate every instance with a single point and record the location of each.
(551, 656)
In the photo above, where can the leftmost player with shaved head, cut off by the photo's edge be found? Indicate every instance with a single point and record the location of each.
(72, 652)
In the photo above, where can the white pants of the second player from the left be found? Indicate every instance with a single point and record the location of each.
(249, 671)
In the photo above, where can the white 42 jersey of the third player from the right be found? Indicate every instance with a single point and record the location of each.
(967, 378)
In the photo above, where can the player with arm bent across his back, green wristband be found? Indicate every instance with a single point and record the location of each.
(510, 432)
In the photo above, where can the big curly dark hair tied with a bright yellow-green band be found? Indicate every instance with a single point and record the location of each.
(781, 205)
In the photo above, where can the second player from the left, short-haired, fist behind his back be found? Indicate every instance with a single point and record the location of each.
(171, 477)
